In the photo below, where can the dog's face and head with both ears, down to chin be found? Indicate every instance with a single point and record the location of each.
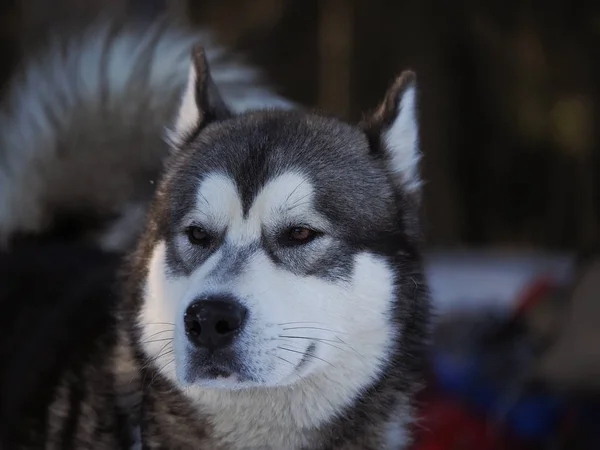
(275, 240)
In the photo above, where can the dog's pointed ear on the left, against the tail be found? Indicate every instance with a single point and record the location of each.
(201, 103)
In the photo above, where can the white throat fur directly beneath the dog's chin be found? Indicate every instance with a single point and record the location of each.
(288, 417)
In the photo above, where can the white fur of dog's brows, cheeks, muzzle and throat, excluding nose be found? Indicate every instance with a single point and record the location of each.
(346, 322)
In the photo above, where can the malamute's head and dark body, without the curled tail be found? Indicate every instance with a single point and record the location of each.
(275, 300)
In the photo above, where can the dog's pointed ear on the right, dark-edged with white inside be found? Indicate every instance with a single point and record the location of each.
(394, 132)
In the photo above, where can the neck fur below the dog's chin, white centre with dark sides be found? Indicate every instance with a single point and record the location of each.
(298, 417)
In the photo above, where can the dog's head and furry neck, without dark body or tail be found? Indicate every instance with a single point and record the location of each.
(280, 267)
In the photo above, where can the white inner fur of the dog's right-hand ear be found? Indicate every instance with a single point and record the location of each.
(402, 141)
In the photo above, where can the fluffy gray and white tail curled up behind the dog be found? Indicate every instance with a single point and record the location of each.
(82, 131)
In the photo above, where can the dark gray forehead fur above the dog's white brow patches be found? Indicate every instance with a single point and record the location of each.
(253, 149)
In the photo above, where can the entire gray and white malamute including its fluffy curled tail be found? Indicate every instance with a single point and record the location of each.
(275, 298)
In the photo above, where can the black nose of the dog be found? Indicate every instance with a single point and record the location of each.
(213, 322)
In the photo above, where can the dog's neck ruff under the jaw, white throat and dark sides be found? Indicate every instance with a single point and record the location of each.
(334, 410)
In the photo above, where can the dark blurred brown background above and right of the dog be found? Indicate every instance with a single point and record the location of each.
(509, 94)
